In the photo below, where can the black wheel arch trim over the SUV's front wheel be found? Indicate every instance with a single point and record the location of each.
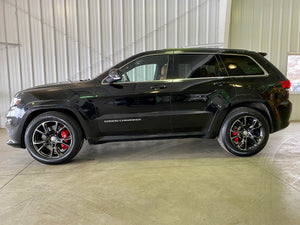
(37, 112)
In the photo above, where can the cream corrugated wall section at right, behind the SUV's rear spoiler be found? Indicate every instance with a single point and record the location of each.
(271, 26)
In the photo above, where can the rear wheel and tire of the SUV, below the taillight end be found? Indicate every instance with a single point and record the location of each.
(244, 132)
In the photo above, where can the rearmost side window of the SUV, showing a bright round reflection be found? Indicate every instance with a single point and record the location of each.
(241, 65)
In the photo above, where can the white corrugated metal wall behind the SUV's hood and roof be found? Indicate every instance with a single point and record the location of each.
(50, 41)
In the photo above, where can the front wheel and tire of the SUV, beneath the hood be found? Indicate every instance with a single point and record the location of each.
(53, 138)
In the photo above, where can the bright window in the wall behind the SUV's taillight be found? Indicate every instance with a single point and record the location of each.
(293, 71)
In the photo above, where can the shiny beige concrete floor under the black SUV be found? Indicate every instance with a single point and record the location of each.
(181, 181)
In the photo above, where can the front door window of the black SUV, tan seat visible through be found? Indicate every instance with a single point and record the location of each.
(148, 68)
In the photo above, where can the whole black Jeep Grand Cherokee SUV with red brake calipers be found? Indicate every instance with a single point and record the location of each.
(235, 95)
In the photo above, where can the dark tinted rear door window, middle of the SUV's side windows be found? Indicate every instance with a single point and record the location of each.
(196, 66)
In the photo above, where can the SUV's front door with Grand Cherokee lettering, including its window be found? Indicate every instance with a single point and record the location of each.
(139, 103)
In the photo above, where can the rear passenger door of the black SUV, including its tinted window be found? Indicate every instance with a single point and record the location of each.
(201, 88)
